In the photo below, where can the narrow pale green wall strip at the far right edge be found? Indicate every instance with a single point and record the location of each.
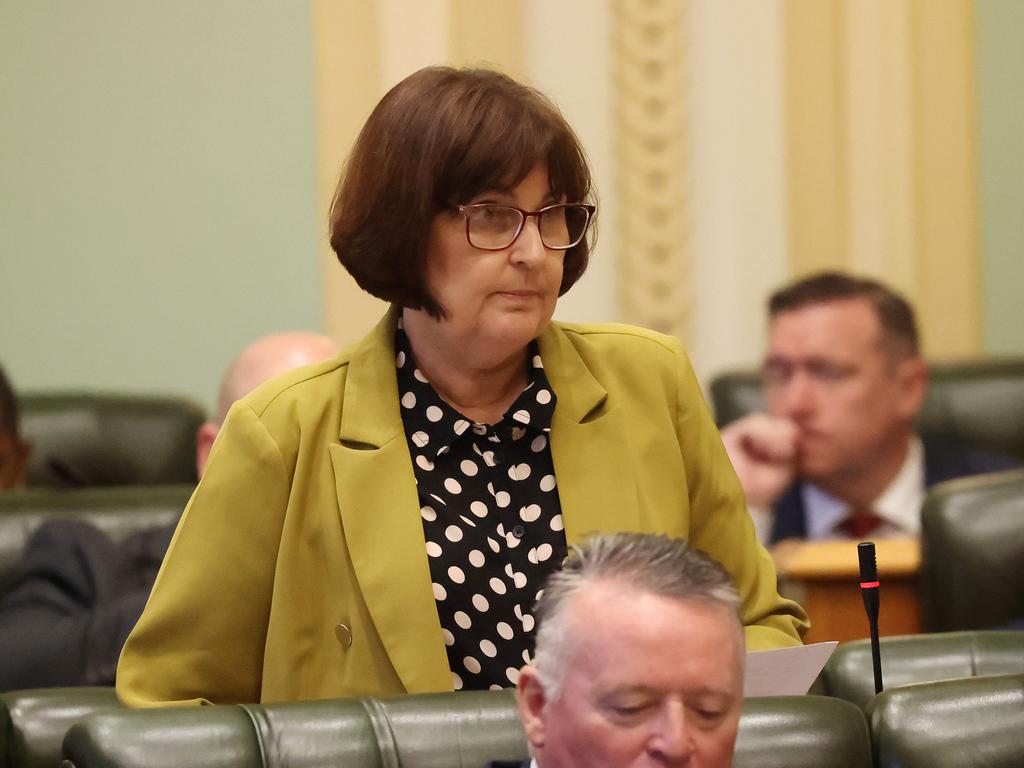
(1001, 94)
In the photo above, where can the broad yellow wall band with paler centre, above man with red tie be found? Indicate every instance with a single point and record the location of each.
(882, 147)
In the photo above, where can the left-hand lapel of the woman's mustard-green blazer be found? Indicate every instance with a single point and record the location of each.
(380, 516)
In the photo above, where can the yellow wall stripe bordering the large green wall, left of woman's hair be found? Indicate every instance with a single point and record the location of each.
(347, 77)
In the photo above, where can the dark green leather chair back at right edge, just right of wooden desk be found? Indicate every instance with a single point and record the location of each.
(972, 571)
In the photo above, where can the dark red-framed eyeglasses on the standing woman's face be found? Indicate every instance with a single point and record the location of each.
(494, 228)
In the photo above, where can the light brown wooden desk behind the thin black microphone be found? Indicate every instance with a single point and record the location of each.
(825, 578)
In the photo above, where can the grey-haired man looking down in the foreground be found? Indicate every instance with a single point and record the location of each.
(639, 659)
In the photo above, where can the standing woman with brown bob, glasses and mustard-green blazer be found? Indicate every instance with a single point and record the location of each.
(381, 524)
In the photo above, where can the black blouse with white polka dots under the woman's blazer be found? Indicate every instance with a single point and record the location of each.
(492, 520)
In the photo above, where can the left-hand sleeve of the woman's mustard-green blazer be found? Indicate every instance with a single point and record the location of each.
(201, 638)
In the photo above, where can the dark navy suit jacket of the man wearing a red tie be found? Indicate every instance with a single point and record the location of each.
(944, 461)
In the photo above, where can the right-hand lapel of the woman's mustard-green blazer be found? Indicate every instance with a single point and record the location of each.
(596, 486)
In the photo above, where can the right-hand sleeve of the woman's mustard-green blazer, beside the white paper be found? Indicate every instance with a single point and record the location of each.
(721, 526)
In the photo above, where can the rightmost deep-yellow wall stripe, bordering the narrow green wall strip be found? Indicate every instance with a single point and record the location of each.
(947, 185)
